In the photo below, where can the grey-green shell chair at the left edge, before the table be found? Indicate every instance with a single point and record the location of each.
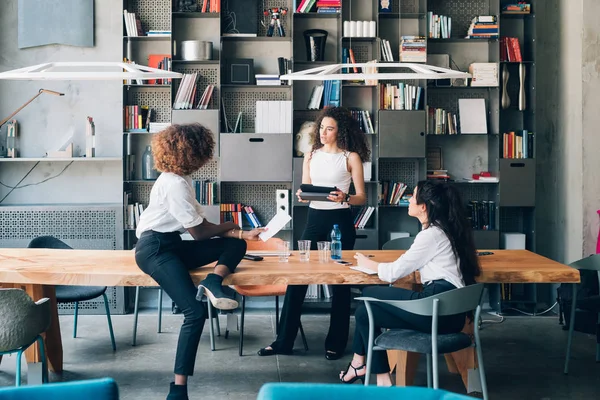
(23, 320)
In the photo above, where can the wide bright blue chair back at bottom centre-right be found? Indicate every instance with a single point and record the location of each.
(327, 391)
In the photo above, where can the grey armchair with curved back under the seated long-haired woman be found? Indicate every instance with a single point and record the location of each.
(448, 303)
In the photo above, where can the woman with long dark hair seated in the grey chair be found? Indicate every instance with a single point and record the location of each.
(445, 256)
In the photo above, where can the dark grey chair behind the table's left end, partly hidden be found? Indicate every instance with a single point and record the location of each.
(74, 294)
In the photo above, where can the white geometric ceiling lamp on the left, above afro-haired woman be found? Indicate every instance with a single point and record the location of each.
(60, 71)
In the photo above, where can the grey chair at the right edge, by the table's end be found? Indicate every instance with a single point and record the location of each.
(591, 263)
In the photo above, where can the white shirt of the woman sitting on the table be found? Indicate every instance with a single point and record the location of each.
(173, 206)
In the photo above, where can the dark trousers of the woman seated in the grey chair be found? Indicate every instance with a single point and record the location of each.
(389, 317)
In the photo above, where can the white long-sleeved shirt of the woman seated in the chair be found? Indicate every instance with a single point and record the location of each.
(430, 254)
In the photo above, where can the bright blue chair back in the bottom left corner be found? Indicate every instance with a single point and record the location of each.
(94, 389)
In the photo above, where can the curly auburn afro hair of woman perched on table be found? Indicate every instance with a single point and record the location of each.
(182, 149)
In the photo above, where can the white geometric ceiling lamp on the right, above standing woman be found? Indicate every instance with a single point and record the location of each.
(333, 72)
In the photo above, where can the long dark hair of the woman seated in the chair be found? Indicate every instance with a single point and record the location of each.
(446, 210)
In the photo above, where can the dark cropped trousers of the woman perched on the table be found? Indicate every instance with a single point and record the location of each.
(168, 260)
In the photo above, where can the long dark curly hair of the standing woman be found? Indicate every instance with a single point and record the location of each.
(349, 137)
